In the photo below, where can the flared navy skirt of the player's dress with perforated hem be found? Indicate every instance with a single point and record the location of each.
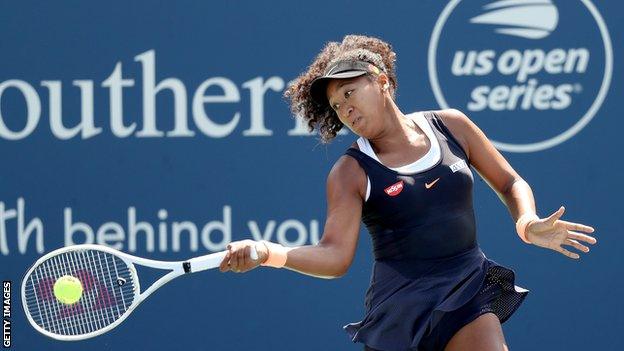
(419, 304)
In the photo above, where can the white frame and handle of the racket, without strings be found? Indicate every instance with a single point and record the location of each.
(177, 268)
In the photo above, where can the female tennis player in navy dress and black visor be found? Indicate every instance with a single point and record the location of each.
(408, 178)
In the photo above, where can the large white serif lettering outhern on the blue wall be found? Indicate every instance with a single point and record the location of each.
(115, 83)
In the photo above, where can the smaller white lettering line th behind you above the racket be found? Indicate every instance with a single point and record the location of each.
(136, 234)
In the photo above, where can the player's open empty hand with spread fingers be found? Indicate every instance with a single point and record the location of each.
(552, 233)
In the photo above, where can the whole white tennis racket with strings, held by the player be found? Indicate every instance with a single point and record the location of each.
(110, 288)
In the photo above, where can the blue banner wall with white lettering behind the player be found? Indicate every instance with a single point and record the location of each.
(173, 157)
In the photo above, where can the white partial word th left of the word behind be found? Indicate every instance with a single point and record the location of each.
(24, 232)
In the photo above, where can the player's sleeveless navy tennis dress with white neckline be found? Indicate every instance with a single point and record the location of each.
(429, 278)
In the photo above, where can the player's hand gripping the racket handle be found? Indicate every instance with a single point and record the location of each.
(238, 258)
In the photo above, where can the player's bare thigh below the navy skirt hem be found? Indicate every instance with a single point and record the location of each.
(483, 334)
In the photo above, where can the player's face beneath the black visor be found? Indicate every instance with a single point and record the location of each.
(359, 104)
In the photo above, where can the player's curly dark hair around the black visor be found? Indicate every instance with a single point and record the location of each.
(353, 47)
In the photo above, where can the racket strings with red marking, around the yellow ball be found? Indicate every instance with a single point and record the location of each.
(108, 292)
